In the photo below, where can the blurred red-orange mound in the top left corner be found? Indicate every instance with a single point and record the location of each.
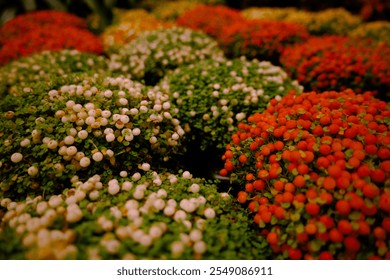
(39, 31)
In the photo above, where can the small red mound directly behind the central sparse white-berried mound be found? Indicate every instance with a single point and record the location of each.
(262, 39)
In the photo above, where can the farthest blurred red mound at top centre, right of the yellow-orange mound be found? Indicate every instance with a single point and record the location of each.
(200, 18)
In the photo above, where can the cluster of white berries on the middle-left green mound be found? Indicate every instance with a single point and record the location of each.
(107, 120)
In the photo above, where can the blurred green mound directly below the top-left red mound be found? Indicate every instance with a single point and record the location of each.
(48, 64)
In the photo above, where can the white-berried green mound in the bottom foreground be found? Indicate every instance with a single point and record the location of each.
(138, 215)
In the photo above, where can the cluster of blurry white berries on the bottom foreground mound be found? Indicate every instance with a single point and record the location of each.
(144, 197)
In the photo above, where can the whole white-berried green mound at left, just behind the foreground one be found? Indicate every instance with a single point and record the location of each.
(96, 125)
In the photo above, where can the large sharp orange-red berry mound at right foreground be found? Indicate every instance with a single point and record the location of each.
(313, 170)
